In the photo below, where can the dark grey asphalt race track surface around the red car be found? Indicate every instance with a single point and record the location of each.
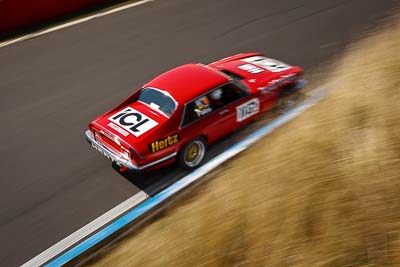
(52, 182)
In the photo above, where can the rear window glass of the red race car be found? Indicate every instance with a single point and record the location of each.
(158, 100)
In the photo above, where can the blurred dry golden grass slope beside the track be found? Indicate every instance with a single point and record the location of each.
(324, 190)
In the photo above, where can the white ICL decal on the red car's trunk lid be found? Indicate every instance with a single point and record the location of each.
(133, 121)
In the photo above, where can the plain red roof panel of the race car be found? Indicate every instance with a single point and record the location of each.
(186, 82)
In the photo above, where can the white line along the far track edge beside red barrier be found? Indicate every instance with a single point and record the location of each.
(71, 23)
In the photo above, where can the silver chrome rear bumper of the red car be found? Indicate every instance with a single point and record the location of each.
(117, 159)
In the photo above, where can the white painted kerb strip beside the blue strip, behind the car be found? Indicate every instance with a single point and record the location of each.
(87, 230)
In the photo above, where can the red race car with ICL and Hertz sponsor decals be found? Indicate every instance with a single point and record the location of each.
(176, 115)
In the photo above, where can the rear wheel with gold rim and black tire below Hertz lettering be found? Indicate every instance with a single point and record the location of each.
(192, 154)
